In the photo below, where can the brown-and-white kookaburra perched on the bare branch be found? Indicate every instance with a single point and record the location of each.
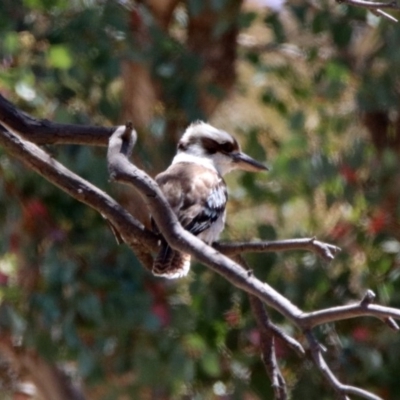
(196, 191)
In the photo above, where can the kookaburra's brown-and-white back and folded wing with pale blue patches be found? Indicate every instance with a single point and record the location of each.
(196, 195)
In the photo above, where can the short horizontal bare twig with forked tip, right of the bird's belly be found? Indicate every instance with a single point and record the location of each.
(325, 250)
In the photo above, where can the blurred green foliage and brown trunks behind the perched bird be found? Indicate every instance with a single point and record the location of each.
(311, 88)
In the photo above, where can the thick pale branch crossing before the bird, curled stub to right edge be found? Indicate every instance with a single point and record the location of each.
(123, 171)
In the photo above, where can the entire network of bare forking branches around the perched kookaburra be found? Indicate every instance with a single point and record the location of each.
(143, 241)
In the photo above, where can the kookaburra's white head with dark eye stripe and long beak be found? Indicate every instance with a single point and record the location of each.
(203, 141)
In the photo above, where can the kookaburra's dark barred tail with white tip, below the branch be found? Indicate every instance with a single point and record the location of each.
(170, 263)
